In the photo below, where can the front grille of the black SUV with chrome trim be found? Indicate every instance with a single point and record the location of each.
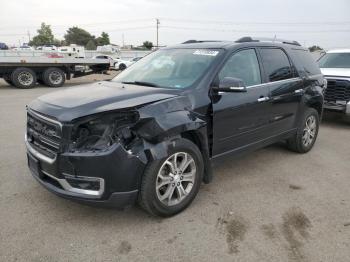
(43, 134)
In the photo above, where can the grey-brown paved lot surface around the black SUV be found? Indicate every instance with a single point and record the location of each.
(272, 205)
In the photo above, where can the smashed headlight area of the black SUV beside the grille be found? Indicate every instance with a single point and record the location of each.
(102, 131)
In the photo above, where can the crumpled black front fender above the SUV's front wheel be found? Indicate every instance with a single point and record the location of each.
(161, 123)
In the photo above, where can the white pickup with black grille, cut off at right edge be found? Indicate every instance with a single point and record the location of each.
(335, 65)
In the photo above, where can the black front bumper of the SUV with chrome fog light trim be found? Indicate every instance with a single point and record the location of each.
(108, 178)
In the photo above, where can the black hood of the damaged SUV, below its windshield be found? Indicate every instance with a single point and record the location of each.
(75, 102)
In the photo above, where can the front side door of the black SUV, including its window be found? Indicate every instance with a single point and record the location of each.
(240, 119)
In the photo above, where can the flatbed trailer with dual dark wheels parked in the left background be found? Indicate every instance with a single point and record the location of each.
(26, 71)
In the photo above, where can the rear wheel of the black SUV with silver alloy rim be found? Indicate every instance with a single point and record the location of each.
(305, 138)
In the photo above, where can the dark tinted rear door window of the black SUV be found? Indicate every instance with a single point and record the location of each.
(276, 64)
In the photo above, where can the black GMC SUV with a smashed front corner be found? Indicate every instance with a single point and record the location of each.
(151, 134)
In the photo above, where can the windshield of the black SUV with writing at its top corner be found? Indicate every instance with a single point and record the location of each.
(173, 68)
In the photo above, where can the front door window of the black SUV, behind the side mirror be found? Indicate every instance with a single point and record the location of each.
(243, 65)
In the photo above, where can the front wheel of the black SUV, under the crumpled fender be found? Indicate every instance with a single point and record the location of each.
(150, 197)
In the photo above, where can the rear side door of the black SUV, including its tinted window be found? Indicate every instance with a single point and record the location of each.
(286, 89)
